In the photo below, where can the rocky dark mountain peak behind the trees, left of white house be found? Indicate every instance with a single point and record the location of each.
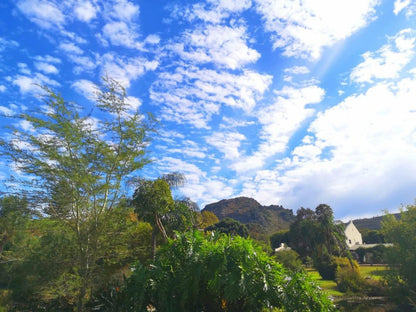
(249, 211)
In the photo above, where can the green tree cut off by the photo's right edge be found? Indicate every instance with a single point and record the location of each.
(401, 256)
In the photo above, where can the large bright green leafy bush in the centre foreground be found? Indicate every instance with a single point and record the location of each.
(220, 273)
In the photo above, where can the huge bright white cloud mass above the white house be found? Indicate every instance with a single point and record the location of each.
(362, 153)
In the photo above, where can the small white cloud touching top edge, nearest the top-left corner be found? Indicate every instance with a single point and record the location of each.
(43, 13)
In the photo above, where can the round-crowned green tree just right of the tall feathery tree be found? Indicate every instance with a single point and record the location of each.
(152, 200)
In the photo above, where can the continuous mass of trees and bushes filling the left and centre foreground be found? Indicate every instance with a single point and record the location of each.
(72, 239)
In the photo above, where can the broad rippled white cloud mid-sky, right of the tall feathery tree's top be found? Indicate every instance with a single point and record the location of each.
(192, 95)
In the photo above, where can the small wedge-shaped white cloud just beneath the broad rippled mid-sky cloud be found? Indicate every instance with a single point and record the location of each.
(227, 143)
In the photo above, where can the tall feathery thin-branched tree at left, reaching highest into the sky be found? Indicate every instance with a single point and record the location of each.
(76, 161)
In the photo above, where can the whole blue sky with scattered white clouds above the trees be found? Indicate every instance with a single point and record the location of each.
(289, 102)
